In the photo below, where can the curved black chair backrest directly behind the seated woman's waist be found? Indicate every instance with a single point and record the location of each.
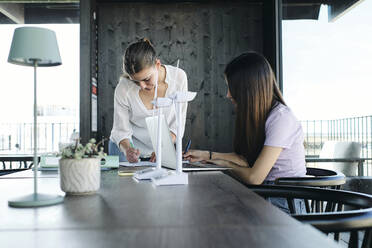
(316, 177)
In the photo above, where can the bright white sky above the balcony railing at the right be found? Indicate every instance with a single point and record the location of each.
(326, 65)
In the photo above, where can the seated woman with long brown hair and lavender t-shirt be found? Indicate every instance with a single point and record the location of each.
(268, 140)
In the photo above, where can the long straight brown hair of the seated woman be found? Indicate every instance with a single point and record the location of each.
(253, 87)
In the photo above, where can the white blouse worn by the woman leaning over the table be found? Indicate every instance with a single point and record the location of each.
(130, 112)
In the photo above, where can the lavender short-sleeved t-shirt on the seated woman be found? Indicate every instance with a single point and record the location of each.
(282, 129)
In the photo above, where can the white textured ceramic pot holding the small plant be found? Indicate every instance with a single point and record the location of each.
(80, 176)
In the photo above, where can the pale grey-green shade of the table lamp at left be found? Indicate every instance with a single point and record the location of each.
(34, 43)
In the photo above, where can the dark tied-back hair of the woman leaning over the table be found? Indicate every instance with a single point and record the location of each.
(138, 56)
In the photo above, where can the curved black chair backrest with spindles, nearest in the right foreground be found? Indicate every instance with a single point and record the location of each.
(333, 219)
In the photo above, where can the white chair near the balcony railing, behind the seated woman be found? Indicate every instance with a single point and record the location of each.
(341, 149)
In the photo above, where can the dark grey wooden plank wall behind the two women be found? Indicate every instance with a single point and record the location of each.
(204, 36)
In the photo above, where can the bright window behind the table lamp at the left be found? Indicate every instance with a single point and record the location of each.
(57, 87)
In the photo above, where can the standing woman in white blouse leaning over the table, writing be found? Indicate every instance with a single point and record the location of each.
(132, 101)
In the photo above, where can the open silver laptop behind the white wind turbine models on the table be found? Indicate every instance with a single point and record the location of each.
(168, 156)
